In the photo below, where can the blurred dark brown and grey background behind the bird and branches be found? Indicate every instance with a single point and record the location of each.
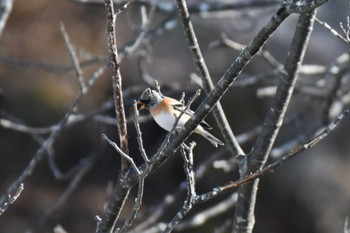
(310, 193)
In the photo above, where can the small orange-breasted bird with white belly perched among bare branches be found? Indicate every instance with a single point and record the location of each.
(166, 110)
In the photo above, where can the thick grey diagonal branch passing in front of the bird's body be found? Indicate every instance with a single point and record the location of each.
(129, 178)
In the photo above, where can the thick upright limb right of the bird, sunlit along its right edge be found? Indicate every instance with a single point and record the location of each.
(244, 213)
